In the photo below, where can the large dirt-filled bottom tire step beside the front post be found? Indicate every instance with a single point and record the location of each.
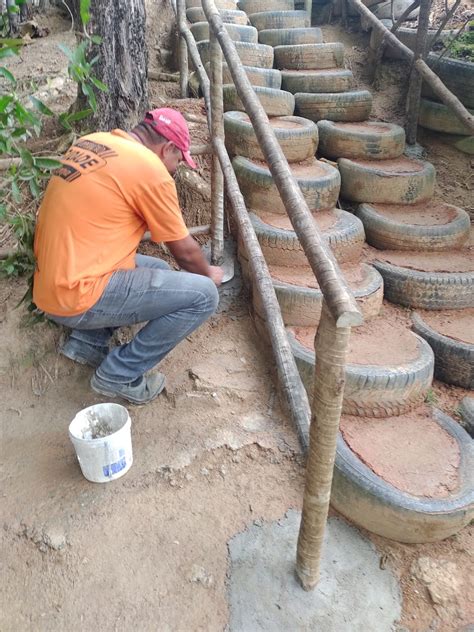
(369, 494)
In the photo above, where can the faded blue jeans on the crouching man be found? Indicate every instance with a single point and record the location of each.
(173, 303)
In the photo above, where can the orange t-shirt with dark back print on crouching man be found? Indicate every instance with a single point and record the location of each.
(96, 208)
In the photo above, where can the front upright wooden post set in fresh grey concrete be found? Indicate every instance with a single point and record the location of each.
(331, 346)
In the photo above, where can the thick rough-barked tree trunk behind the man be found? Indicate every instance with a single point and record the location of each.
(122, 64)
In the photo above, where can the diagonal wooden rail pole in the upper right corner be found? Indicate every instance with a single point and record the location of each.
(447, 97)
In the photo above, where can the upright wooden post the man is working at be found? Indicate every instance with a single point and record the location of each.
(217, 131)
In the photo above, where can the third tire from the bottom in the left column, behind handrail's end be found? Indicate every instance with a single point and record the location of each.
(301, 299)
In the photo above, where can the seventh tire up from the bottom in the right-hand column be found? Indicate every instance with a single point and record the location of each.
(329, 80)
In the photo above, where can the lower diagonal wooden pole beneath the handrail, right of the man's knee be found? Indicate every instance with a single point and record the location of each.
(289, 378)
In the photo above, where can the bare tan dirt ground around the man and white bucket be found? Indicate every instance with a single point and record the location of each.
(213, 455)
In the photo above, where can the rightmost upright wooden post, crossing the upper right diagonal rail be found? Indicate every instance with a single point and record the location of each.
(414, 87)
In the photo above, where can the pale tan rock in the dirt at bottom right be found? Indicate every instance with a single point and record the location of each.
(440, 577)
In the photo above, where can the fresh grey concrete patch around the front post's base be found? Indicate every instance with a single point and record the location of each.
(353, 595)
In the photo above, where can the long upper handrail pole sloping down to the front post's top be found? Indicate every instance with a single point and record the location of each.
(321, 259)
